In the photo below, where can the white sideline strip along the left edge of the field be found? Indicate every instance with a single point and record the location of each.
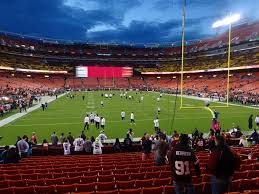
(19, 115)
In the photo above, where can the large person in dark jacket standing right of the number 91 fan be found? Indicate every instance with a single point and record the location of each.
(222, 164)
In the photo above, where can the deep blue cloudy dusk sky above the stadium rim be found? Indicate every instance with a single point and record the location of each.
(120, 21)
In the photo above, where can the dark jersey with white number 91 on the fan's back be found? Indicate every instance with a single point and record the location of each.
(182, 159)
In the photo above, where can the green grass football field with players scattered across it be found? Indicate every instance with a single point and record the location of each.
(65, 115)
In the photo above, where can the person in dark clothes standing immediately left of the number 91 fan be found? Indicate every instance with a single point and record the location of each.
(161, 148)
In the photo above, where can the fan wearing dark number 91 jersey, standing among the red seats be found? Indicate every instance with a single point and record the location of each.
(182, 159)
